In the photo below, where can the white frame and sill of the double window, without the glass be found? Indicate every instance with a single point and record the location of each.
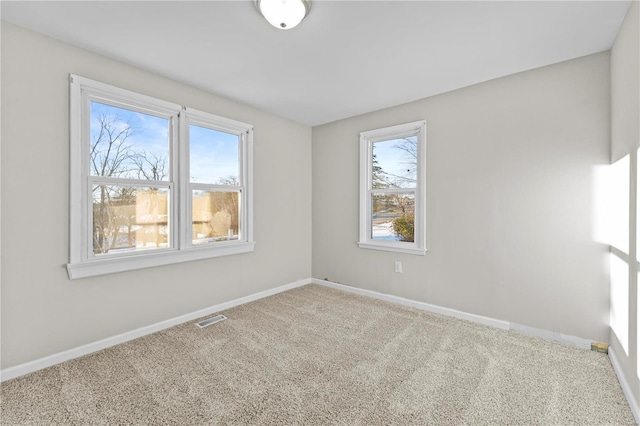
(82, 261)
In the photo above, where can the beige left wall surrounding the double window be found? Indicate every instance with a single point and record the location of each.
(42, 311)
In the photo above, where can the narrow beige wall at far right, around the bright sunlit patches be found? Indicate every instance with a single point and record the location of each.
(625, 140)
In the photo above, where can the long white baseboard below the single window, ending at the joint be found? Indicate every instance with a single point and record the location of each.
(415, 304)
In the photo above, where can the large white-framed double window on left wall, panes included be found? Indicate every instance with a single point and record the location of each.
(153, 182)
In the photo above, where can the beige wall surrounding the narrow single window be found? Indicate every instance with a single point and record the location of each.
(510, 166)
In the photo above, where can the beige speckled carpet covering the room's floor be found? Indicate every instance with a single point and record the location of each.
(315, 356)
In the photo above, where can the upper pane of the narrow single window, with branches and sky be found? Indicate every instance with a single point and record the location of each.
(395, 163)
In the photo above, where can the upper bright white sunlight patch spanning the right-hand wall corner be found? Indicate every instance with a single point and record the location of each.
(611, 204)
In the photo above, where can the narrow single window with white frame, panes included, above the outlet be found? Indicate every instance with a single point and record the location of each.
(392, 188)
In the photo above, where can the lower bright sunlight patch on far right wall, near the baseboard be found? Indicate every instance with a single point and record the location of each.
(619, 315)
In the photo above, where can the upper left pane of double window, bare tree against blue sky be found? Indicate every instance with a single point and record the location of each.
(128, 144)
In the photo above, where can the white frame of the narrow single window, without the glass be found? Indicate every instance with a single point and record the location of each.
(367, 139)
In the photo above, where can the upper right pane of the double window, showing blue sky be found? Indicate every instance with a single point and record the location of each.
(213, 156)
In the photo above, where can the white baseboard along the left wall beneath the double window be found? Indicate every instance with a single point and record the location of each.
(39, 364)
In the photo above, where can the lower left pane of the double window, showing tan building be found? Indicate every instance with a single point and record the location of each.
(128, 218)
